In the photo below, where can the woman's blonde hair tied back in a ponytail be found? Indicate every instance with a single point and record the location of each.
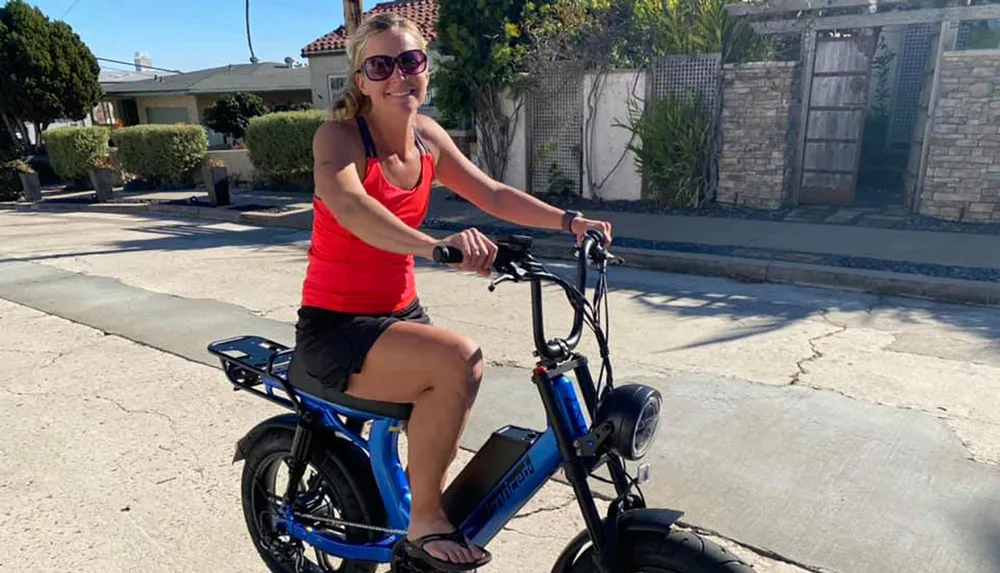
(352, 102)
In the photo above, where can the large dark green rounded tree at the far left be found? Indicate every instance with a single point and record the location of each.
(46, 72)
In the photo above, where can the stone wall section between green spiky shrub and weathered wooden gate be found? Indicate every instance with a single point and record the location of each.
(760, 102)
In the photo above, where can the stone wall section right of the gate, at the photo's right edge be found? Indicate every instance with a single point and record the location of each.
(963, 168)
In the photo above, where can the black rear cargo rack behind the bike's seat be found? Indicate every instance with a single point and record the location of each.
(248, 360)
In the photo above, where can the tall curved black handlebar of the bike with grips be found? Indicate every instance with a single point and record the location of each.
(515, 262)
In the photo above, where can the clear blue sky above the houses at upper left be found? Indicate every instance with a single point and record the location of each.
(194, 34)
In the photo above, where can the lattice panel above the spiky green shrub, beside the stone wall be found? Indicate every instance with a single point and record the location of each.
(680, 75)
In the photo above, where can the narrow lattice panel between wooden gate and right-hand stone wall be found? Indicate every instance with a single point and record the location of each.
(914, 50)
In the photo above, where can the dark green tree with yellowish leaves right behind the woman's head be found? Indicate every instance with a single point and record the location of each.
(481, 42)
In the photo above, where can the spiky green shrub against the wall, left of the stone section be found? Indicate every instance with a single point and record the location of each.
(673, 151)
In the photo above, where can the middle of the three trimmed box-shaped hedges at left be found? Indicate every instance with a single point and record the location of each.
(162, 154)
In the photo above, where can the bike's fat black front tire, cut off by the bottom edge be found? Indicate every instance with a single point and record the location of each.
(670, 551)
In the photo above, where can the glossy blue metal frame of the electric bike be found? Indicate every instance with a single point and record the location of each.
(554, 447)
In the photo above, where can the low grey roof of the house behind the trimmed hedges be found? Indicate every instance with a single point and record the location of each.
(259, 77)
